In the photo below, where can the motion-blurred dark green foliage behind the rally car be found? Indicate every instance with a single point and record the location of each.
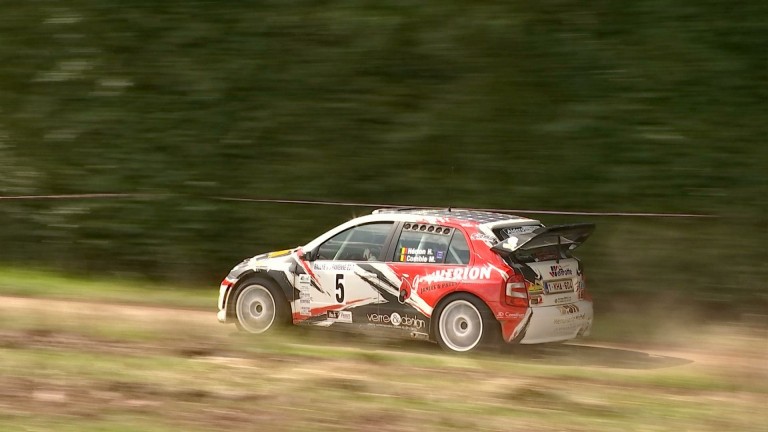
(617, 106)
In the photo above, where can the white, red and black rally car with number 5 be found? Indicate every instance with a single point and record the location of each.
(461, 278)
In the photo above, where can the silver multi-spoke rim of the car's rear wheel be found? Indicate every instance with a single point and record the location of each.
(460, 325)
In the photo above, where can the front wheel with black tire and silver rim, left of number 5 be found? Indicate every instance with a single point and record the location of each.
(259, 307)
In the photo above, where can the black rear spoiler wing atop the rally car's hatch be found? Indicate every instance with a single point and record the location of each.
(568, 236)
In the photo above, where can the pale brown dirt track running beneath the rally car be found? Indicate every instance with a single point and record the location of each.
(744, 355)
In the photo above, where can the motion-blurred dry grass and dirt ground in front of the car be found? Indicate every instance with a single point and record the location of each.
(76, 369)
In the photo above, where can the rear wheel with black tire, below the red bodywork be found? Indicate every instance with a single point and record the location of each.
(463, 323)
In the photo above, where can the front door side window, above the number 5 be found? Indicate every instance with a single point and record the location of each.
(360, 243)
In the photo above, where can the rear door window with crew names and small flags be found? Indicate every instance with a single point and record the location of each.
(426, 244)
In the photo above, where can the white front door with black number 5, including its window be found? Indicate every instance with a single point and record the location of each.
(344, 286)
